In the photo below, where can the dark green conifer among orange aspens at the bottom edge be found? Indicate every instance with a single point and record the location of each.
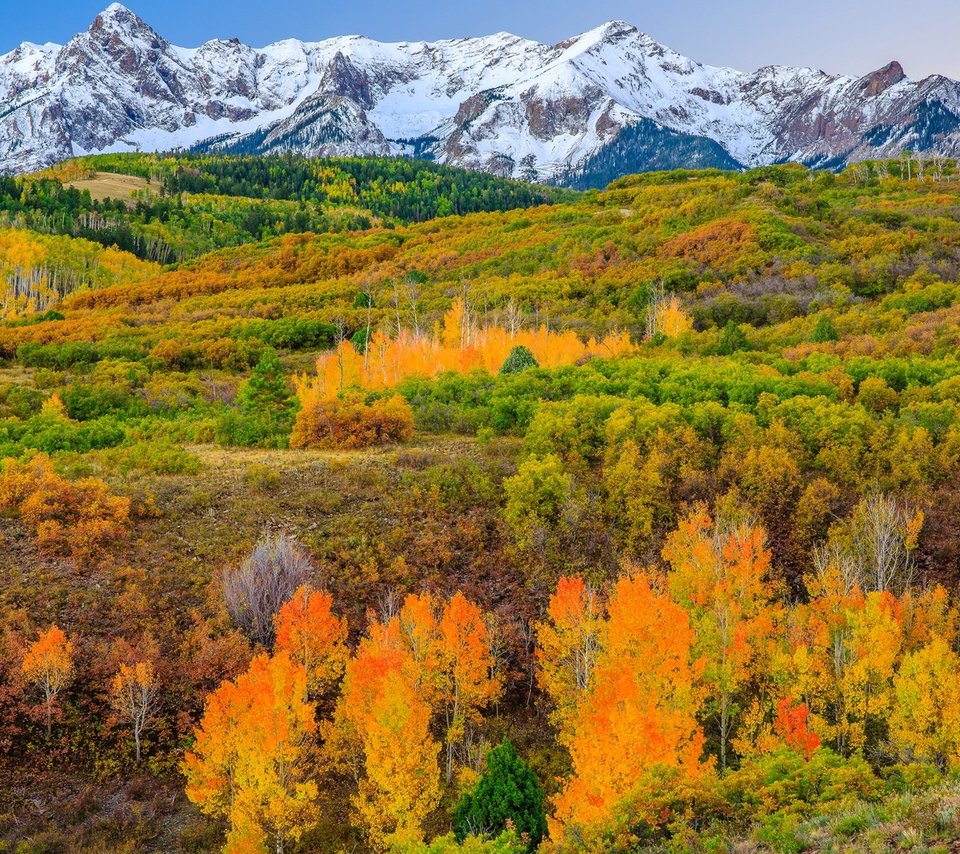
(507, 791)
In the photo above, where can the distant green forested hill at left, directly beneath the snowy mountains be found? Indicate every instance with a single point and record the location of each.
(191, 204)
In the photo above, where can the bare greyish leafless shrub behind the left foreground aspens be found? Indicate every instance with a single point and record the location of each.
(256, 590)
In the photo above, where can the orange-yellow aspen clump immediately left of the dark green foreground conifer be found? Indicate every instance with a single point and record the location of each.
(430, 664)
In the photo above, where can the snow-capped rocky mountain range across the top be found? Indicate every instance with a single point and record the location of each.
(609, 101)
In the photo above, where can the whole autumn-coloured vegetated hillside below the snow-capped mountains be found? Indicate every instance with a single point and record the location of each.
(507, 520)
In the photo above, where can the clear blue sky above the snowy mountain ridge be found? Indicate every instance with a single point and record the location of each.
(839, 36)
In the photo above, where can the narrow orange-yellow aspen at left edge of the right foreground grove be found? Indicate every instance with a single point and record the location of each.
(568, 644)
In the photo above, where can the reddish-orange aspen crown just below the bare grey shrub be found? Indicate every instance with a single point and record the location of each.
(314, 636)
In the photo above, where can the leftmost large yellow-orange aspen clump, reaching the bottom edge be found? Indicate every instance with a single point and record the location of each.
(250, 763)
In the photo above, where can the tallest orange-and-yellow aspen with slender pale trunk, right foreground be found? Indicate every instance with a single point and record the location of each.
(720, 577)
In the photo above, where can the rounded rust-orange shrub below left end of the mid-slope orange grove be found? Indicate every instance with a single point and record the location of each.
(349, 422)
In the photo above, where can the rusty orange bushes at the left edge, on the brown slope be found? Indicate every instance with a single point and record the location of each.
(79, 518)
